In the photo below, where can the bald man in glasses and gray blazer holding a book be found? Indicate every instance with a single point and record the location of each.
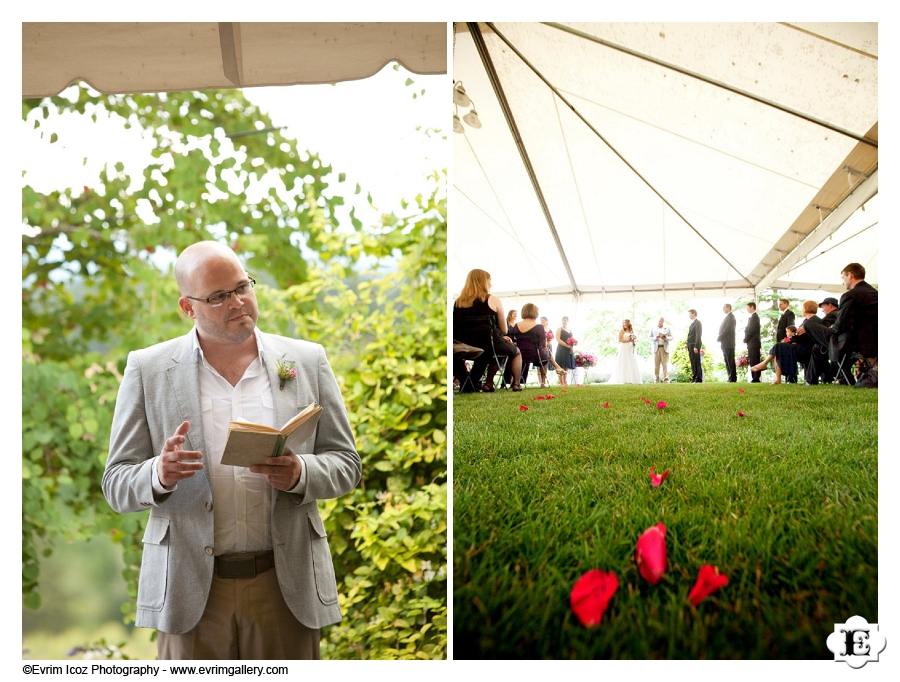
(235, 563)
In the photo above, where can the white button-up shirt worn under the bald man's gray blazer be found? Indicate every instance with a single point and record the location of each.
(241, 499)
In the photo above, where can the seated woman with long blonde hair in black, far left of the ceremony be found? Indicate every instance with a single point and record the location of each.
(476, 305)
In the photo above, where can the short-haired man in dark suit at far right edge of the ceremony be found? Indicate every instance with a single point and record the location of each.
(855, 329)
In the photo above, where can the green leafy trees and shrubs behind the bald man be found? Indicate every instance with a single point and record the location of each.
(97, 283)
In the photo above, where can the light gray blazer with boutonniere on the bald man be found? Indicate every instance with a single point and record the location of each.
(159, 390)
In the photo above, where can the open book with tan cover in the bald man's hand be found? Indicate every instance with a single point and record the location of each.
(250, 443)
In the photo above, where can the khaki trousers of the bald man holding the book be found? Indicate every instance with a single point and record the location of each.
(244, 619)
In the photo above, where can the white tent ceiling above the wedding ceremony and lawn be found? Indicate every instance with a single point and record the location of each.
(745, 175)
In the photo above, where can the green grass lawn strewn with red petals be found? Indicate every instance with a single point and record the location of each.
(783, 501)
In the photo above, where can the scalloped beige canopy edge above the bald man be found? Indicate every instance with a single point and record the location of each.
(153, 57)
